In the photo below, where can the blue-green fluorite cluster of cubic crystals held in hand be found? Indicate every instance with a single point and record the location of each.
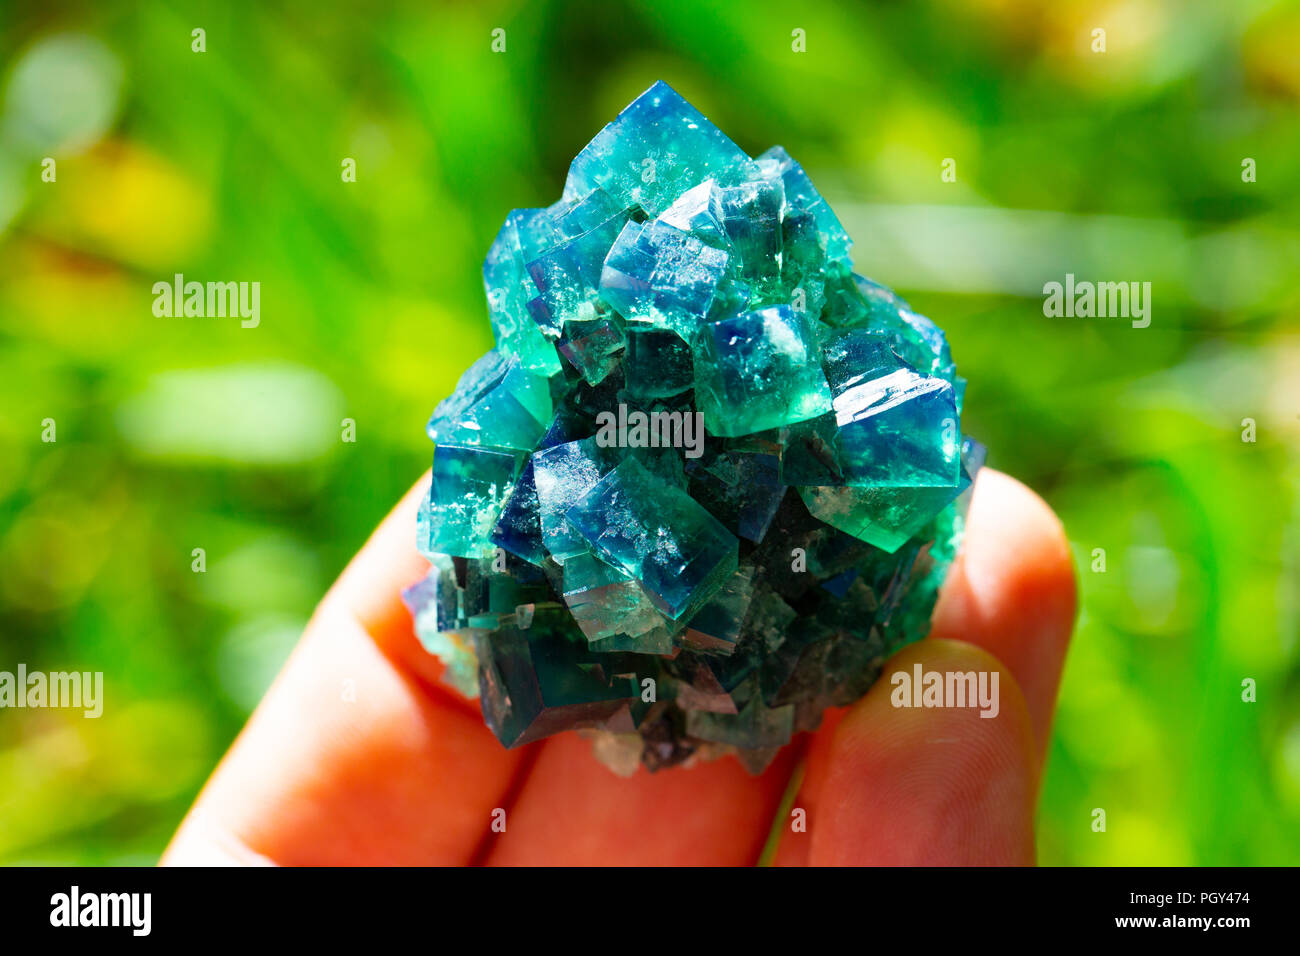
(708, 481)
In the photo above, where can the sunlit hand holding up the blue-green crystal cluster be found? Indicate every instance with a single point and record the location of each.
(361, 755)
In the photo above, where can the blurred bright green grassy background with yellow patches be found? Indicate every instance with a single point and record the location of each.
(183, 434)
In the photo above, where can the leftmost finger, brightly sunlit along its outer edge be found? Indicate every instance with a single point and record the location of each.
(350, 759)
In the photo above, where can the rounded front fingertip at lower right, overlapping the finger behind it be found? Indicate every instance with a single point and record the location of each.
(924, 786)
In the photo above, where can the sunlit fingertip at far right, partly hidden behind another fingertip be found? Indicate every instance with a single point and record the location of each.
(1012, 591)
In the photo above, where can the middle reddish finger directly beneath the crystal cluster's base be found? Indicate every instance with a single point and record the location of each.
(575, 812)
